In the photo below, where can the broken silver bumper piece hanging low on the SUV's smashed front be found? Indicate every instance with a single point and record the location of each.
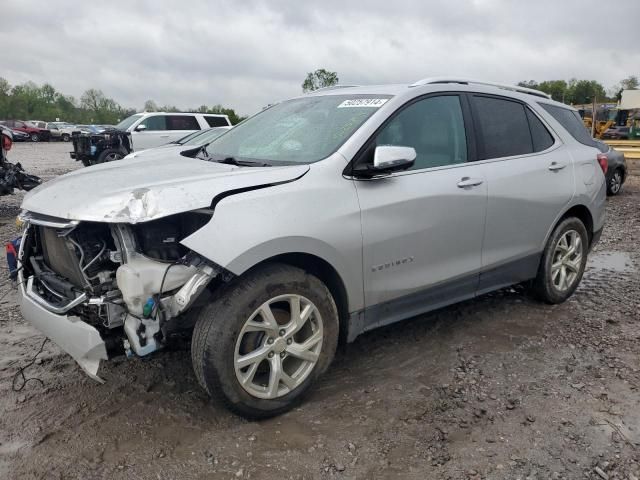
(69, 332)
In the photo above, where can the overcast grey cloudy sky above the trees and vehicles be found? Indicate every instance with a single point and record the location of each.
(247, 54)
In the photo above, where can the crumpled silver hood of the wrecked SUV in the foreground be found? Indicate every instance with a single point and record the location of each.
(139, 190)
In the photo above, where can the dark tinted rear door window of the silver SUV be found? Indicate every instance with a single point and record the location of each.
(504, 128)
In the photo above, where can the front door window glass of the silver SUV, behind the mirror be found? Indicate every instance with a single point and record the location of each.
(433, 126)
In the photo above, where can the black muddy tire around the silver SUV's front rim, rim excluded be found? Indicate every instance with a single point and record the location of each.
(219, 326)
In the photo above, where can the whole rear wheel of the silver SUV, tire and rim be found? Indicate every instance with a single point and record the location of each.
(563, 262)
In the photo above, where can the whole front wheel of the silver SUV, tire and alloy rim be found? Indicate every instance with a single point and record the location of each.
(263, 343)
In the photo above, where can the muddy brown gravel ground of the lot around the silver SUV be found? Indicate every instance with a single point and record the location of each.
(498, 387)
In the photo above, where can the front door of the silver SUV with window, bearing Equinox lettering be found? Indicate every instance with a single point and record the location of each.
(422, 228)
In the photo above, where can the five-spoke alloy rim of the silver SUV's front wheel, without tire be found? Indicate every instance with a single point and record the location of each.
(278, 346)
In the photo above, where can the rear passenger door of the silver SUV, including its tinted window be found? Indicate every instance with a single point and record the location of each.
(531, 179)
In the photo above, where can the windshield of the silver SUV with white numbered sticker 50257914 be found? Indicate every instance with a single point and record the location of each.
(302, 130)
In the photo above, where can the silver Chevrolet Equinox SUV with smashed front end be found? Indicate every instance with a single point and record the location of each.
(318, 219)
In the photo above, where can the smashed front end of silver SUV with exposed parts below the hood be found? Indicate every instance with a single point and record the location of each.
(99, 290)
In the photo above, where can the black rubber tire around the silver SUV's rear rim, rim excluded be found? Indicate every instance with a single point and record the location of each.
(543, 286)
